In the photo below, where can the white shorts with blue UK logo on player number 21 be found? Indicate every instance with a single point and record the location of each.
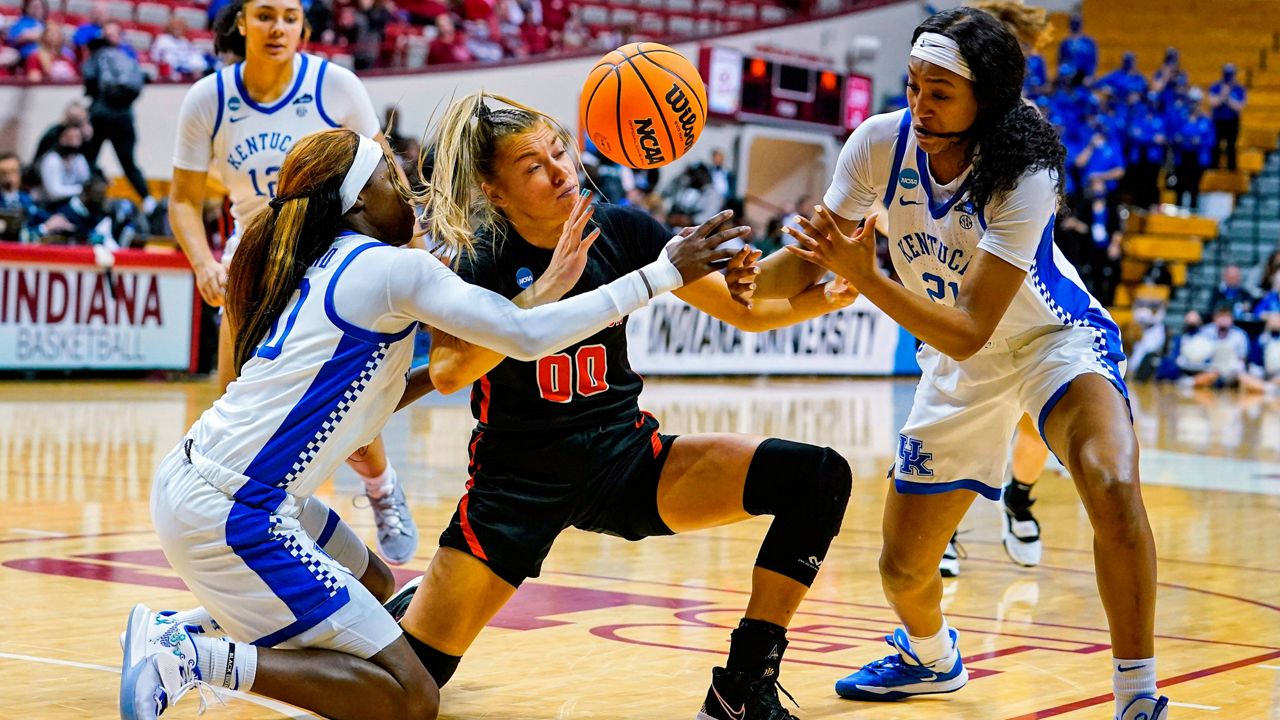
(964, 416)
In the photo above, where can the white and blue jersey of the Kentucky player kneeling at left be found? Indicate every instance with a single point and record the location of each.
(317, 389)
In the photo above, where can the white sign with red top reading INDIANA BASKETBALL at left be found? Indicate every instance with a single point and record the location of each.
(58, 311)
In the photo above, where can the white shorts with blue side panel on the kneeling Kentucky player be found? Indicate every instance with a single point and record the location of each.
(258, 572)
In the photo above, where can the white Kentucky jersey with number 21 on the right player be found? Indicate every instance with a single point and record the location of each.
(934, 236)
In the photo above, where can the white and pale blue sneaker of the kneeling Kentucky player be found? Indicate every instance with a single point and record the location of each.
(159, 667)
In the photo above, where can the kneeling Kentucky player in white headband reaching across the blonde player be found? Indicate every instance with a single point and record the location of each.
(324, 307)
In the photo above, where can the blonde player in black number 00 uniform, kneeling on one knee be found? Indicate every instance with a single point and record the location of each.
(561, 443)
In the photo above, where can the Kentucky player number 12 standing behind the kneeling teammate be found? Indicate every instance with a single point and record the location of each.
(239, 124)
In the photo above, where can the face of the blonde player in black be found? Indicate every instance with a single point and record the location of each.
(536, 176)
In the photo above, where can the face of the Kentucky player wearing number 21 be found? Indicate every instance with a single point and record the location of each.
(941, 102)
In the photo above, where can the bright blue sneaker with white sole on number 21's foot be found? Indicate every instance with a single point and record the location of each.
(903, 675)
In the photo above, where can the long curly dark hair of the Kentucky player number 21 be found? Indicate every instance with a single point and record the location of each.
(1012, 138)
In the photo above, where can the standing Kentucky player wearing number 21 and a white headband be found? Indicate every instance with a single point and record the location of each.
(971, 177)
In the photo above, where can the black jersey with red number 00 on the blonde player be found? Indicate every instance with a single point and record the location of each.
(589, 384)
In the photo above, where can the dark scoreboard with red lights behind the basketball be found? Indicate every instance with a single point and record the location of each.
(784, 90)
